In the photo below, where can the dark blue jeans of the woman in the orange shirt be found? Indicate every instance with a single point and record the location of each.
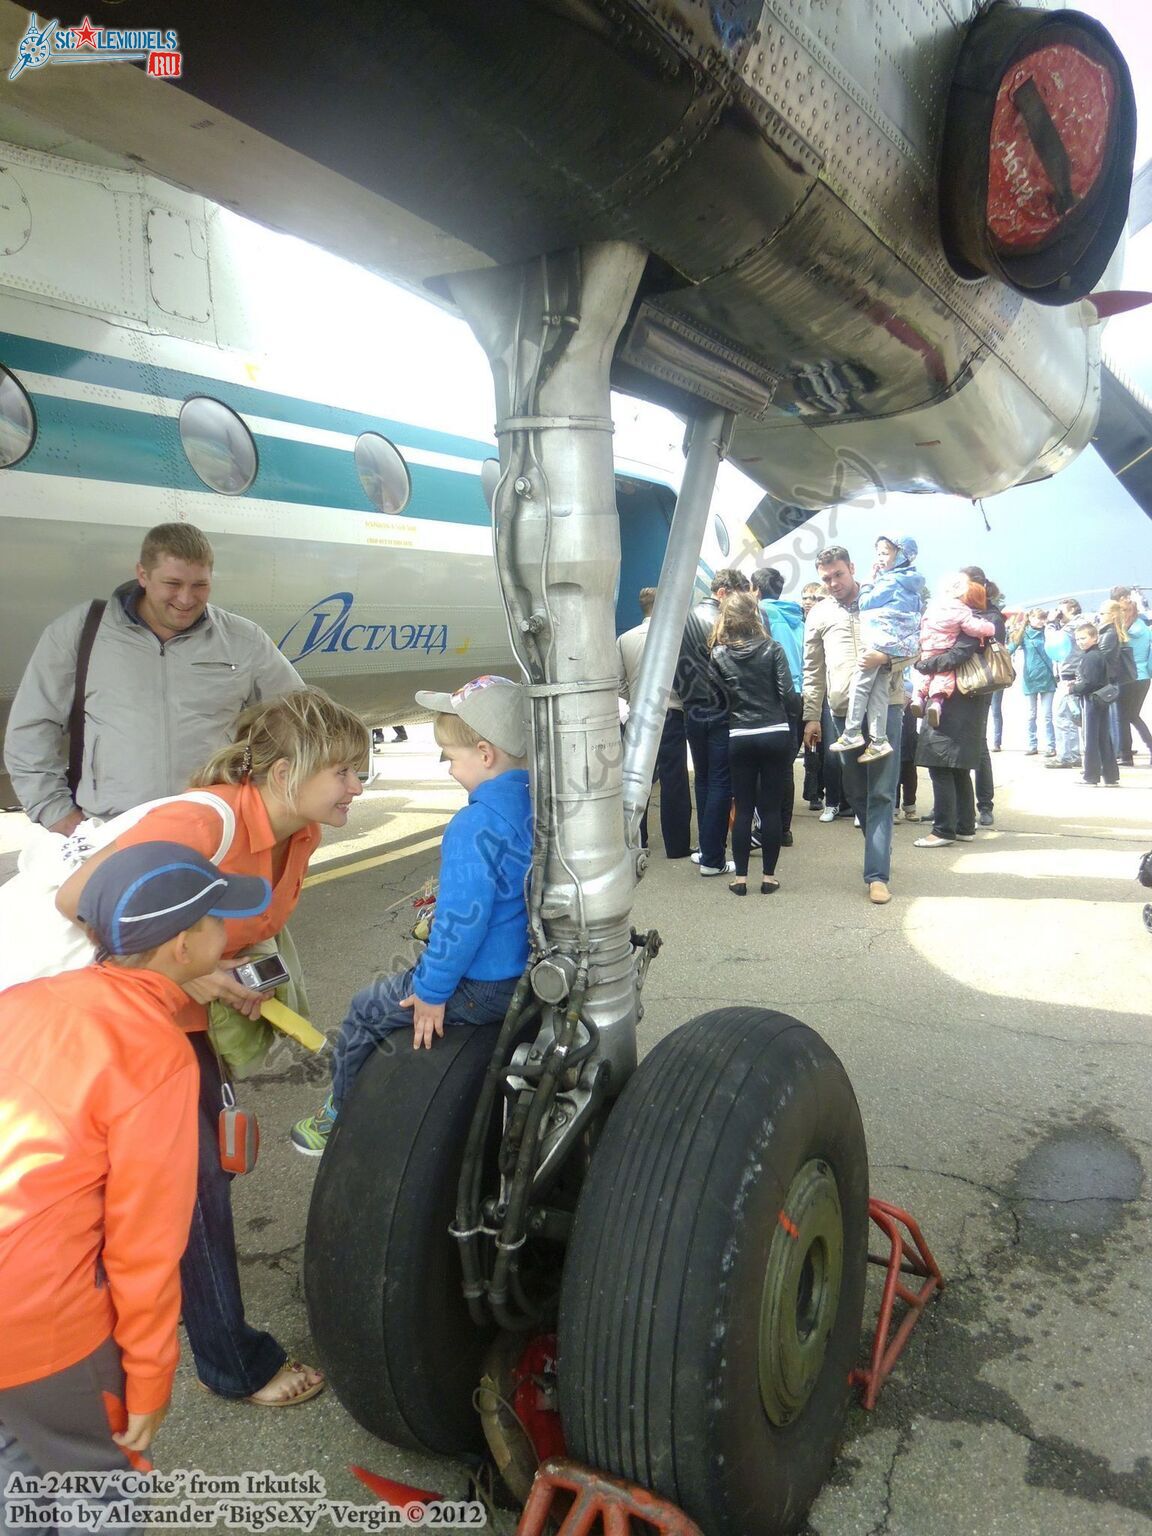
(233, 1359)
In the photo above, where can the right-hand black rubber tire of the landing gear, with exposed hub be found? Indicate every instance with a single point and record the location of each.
(667, 1273)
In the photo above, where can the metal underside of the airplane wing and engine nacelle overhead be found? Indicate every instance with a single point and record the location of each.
(780, 167)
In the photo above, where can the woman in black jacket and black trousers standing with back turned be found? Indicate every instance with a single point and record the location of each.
(763, 706)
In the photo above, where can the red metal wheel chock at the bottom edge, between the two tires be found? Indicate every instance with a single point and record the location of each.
(601, 1506)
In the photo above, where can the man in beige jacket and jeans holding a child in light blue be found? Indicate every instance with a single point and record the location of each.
(832, 647)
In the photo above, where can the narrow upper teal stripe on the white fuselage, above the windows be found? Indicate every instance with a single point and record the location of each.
(144, 379)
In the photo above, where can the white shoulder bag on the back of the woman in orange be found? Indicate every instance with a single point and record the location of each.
(36, 939)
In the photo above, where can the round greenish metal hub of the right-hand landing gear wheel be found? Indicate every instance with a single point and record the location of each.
(801, 1291)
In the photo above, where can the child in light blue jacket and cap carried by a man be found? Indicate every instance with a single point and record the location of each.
(890, 629)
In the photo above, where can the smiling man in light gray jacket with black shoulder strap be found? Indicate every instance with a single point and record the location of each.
(167, 678)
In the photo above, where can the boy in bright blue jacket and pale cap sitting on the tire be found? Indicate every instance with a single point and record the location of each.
(478, 945)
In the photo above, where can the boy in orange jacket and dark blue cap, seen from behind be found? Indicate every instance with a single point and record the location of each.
(99, 1167)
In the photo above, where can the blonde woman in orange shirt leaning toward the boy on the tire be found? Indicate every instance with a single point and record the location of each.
(293, 769)
